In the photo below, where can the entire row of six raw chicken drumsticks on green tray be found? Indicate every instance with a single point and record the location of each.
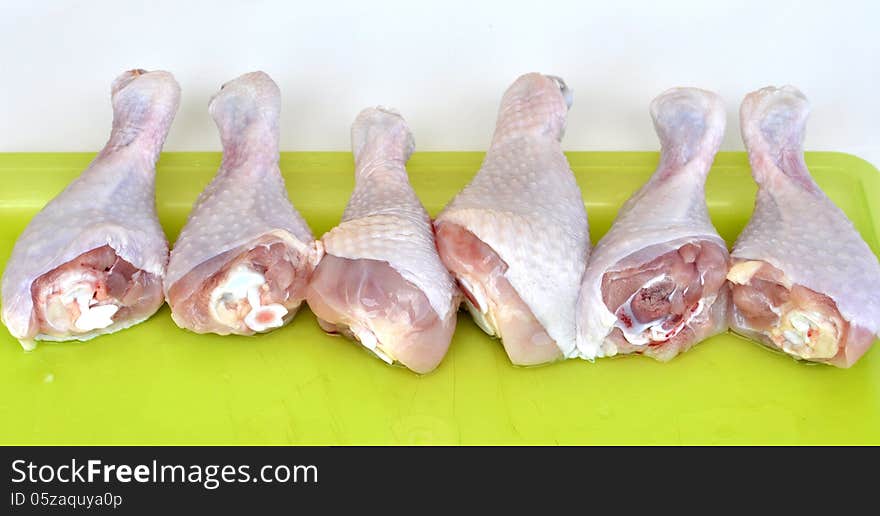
(513, 245)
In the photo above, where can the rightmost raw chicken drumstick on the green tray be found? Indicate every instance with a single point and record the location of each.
(803, 280)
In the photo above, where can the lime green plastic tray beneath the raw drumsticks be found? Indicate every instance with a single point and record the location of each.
(157, 384)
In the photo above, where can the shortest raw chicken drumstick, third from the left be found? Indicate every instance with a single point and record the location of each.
(380, 281)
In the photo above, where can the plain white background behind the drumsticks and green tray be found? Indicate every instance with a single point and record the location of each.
(443, 65)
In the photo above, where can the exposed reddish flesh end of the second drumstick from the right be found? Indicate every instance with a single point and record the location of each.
(695, 271)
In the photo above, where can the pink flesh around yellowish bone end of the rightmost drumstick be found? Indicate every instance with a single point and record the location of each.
(753, 305)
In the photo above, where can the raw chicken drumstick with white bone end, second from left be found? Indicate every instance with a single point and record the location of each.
(244, 257)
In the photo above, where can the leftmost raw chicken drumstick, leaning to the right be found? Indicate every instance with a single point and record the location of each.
(92, 260)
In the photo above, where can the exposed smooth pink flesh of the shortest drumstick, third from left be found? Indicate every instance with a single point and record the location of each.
(373, 296)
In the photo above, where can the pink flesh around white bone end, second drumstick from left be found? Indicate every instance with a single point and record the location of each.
(286, 273)
